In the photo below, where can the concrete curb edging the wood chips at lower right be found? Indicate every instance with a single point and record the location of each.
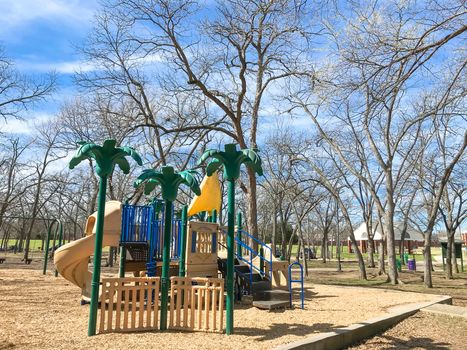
(355, 333)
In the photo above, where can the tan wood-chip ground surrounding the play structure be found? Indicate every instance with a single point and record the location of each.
(42, 312)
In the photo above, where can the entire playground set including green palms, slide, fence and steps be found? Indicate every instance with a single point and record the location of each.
(156, 250)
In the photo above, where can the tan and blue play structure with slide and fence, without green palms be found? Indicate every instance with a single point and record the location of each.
(197, 298)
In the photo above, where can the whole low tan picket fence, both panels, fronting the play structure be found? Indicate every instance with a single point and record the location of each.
(132, 304)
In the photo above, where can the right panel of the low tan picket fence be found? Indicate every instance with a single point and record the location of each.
(197, 304)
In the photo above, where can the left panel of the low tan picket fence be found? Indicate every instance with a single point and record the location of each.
(129, 304)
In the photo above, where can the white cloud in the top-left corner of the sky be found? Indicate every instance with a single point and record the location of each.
(19, 13)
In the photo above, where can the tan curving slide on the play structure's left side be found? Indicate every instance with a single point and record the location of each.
(71, 260)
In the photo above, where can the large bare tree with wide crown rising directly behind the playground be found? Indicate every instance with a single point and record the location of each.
(229, 62)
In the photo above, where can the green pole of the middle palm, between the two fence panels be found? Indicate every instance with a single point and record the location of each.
(165, 281)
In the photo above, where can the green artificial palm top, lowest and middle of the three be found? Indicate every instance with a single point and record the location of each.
(169, 180)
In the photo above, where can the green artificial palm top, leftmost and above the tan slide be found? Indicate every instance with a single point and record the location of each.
(106, 156)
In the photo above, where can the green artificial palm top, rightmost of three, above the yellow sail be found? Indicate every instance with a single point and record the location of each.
(231, 159)
